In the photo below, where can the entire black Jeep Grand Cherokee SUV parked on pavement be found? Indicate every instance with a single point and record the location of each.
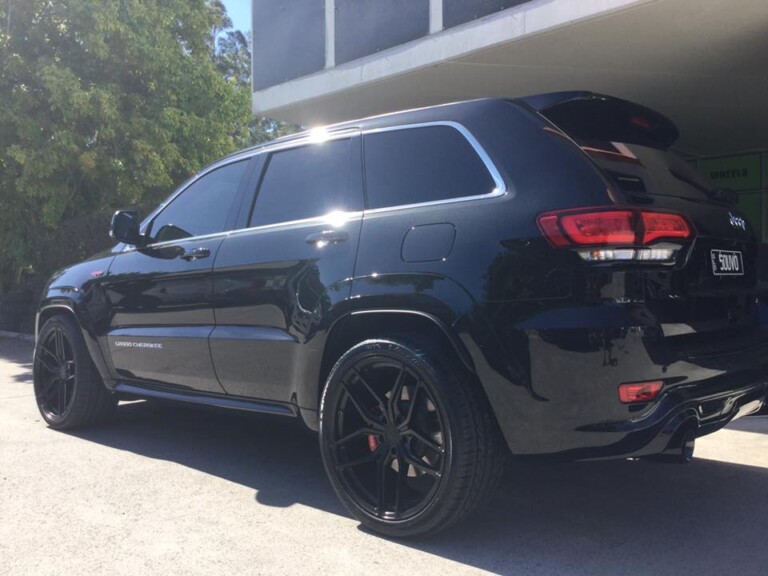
(430, 290)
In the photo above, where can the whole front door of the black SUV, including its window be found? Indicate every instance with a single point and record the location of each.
(160, 295)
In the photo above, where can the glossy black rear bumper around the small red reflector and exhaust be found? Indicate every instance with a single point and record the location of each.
(565, 403)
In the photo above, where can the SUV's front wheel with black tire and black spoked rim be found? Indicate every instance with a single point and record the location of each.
(68, 389)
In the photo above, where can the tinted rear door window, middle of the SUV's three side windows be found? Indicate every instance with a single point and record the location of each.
(304, 182)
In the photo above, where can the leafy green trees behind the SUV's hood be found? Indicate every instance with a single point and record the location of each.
(111, 103)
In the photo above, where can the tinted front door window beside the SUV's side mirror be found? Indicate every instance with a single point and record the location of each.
(202, 208)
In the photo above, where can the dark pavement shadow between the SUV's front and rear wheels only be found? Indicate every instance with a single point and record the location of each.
(273, 455)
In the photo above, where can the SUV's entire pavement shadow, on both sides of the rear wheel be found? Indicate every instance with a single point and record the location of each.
(621, 517)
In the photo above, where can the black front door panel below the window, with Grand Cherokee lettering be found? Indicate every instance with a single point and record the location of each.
(160, 300)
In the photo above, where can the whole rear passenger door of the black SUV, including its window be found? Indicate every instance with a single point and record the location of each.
(281, 279)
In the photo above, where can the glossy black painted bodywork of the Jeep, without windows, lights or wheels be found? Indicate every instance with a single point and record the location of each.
(263, 316)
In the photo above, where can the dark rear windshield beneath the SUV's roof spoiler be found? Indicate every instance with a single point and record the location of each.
(641, 169)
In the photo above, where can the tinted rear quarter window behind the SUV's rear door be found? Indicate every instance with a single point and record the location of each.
(424, 164)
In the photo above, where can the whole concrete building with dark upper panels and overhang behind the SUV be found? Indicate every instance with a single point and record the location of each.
(704, 63)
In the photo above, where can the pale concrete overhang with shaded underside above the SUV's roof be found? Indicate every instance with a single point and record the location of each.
(703, 63)
